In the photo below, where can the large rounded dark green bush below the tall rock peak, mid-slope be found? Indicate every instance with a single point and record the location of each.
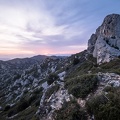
(81, 86)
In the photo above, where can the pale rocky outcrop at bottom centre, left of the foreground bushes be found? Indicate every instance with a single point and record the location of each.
(54, 102)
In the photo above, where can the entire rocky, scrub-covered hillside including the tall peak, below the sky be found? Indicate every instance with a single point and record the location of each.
(84, 86)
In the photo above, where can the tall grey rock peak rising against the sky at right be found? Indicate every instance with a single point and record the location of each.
(105, 43)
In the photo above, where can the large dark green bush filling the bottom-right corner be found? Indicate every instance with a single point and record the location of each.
(105, 107)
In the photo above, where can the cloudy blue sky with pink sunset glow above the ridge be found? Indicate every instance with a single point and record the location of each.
(50, 27)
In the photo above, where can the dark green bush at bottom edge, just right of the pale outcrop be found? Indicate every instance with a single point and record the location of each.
(70, 111)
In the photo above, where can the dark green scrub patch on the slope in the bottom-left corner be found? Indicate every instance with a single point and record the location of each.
(26, 107)
